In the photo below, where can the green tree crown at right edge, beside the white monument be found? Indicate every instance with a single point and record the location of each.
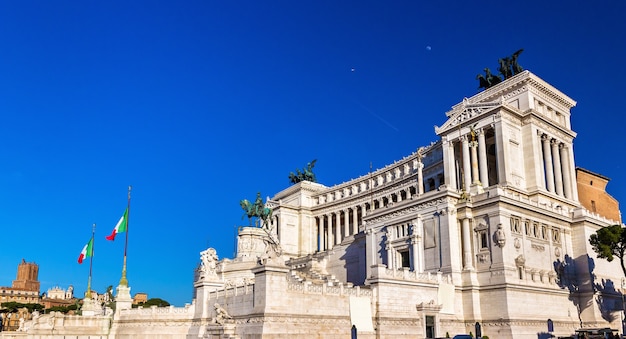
(610, 242)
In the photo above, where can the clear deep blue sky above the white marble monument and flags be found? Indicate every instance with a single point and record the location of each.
(199, 104)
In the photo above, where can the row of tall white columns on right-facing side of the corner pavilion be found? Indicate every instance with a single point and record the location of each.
(556, 161)
